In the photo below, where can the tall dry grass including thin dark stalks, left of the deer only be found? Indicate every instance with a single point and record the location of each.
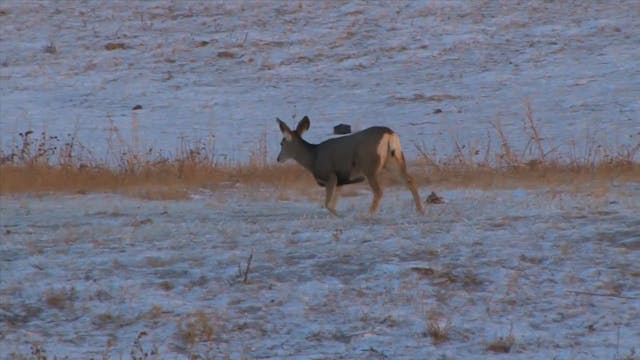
(44, 163)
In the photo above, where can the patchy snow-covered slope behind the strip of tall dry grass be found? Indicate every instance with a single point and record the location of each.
(227, 69)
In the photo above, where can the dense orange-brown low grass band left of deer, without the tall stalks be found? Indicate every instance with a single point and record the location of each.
(151, 181)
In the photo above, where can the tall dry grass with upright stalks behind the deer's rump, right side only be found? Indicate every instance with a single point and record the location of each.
(536, 164)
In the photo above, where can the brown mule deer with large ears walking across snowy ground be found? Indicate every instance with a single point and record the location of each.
(348, 160)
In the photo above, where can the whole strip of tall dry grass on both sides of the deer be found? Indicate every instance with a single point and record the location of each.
(44, 163)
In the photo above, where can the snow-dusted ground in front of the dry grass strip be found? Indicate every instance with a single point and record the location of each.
(83, 276)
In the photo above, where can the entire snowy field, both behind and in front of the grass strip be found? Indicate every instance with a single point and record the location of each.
(547, 273)
